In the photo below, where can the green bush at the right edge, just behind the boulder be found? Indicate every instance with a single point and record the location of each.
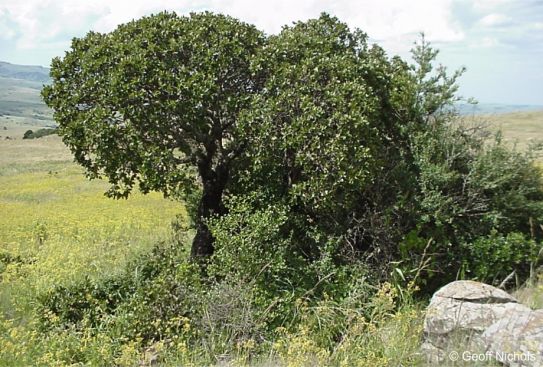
(469, 189)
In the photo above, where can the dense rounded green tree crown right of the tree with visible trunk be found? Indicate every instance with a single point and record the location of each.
(328, 131)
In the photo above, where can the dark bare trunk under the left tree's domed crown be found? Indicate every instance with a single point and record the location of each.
(214, 182)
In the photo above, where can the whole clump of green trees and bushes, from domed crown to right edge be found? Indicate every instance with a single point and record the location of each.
(355, 150)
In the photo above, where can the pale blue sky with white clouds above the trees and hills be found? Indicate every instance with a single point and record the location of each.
(500, 42)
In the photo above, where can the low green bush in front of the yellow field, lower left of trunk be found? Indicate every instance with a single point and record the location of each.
(143, 293)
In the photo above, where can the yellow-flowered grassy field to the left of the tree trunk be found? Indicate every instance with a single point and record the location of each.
(57, 227)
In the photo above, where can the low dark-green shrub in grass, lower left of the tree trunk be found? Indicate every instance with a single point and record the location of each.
(89, 302)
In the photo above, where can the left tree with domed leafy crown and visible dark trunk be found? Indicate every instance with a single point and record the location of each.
(155, 104)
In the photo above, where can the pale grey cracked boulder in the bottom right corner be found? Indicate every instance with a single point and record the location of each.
(466, 318)
